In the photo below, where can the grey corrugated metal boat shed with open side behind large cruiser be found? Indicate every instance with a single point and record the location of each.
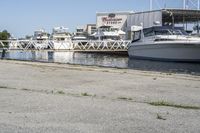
(164, 17)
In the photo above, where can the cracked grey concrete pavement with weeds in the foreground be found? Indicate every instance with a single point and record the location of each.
(115, 101)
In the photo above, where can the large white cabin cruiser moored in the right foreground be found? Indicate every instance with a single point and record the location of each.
(165, 44)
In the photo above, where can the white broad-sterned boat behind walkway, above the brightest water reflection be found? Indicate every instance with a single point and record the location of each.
(61, 38)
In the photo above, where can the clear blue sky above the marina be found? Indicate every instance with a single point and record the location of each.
(22, 17)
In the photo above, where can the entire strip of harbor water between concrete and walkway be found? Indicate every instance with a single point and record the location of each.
(104, 60)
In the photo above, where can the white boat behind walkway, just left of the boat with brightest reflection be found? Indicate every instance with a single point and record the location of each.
(41, 38)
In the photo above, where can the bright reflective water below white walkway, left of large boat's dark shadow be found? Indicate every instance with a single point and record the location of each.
(71, 57)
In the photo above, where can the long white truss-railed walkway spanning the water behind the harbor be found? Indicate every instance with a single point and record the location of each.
(76, 45)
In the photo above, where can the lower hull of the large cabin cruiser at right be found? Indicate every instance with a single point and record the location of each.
(181, 52)
